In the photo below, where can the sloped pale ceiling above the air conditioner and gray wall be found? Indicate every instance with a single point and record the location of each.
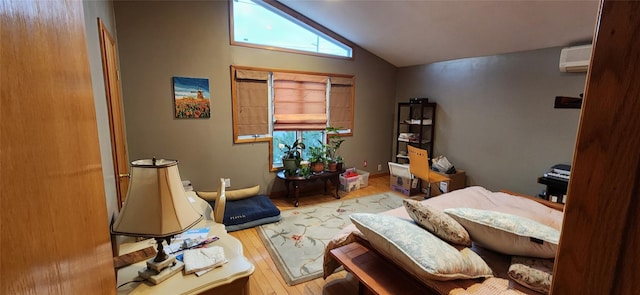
(414, 32)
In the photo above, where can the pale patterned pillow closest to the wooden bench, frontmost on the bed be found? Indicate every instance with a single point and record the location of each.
(417, 251)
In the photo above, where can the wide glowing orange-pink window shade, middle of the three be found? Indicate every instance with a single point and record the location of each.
(299, 101)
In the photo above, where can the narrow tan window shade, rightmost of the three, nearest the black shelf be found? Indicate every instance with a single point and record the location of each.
(341, 103)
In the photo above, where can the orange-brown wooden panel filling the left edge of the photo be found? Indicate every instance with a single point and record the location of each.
(54, 230)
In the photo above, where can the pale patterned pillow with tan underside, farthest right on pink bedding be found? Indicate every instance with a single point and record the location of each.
(507, 233)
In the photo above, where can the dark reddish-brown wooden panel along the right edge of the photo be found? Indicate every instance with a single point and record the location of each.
(600, 243)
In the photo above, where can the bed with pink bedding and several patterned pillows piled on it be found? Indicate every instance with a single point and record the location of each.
(506, 257)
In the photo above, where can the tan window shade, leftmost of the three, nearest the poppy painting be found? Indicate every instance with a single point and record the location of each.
(251, 108)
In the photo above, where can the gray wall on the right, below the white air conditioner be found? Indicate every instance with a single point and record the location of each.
(495, 116)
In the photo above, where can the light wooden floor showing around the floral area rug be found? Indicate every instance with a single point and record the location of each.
(267, 280)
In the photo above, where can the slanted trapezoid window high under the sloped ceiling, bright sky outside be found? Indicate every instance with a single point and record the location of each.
(260, 24)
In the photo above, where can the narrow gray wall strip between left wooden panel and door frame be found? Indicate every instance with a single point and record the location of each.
(92, 11)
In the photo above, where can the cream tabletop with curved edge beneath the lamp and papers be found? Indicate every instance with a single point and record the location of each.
(231, 278)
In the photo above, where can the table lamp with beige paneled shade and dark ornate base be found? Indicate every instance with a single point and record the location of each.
(156, 207)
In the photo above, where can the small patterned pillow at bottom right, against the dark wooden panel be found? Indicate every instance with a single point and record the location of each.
(532, 273)
